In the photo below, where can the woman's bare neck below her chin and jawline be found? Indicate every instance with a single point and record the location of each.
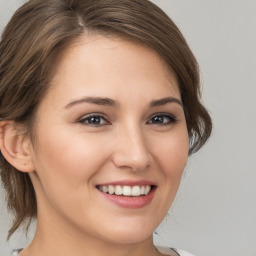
(66, 240)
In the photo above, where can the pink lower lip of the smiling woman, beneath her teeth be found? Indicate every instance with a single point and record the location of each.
(130, 202)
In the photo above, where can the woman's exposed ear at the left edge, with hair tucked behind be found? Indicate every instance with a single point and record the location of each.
(16, 146)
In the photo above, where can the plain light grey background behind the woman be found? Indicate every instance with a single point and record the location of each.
(215, 211)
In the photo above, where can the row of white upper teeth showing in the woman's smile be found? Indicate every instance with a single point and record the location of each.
(125, 190)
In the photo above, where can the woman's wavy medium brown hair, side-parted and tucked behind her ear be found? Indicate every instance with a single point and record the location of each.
(41, 30)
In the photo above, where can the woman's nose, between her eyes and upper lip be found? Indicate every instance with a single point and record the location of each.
(131, 149)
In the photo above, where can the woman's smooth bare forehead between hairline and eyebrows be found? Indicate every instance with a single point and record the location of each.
(108, 65)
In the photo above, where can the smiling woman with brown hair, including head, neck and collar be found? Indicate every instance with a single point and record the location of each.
(99, 110)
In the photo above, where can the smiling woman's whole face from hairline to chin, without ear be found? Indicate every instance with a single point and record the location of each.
(111, 141)
